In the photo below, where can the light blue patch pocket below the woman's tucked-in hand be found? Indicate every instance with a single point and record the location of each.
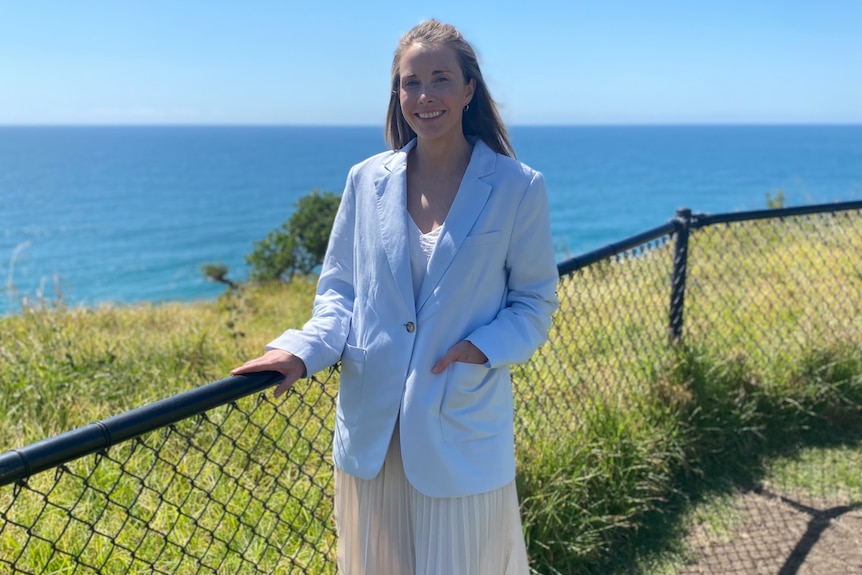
(473, 402)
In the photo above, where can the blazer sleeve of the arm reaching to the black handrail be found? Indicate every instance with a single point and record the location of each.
(321, 340)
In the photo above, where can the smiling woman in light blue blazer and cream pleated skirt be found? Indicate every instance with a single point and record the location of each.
(439, 273)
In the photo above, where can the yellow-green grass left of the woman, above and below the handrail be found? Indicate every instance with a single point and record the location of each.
(247, 485)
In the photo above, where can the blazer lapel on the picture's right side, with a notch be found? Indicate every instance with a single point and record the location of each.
(468, 205)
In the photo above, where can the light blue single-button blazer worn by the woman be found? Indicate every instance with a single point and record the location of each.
(491, 279)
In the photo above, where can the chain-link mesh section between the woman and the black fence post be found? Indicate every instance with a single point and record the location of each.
(611, 330)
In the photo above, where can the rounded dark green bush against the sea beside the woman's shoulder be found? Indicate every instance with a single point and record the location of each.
(299, 245)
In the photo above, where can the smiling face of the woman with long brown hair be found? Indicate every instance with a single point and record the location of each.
(433, 92)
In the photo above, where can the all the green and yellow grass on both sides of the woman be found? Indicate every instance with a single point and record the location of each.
(624, 442)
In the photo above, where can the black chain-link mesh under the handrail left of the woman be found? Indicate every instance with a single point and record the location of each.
(243, 488)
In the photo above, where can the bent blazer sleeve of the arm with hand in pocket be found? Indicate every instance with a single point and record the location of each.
(523, 323)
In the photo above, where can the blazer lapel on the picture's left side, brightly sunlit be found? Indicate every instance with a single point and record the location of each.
(391, 191)
